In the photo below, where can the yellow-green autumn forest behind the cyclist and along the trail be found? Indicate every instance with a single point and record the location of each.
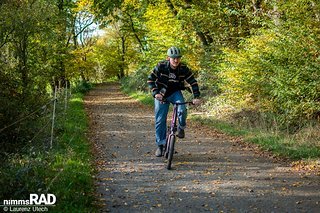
(257, 61)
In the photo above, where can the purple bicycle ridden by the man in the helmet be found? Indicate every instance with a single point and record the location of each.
(171, 134)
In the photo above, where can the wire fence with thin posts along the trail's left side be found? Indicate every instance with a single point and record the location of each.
(39, 126)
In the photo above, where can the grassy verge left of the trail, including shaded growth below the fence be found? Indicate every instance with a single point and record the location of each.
(66, 170)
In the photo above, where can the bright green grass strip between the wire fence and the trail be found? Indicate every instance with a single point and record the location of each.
(72, 161)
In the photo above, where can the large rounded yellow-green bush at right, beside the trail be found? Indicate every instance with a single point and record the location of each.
(275, 71)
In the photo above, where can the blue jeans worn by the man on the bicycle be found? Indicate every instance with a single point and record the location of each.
(161, 112)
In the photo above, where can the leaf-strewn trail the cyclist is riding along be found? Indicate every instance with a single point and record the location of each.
(211, 171)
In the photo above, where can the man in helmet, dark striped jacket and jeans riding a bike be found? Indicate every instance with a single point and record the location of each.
(166, 82)
